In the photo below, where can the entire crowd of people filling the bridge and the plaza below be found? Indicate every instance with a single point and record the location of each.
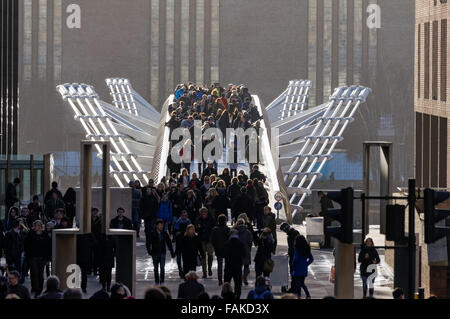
(194, 215)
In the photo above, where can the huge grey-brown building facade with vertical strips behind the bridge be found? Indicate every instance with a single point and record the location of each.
(262, 43)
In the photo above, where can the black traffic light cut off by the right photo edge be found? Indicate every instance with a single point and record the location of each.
(432, 215)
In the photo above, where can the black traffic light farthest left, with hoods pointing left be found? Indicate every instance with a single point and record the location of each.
(344, 215)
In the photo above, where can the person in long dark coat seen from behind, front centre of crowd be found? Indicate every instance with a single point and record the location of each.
(235, 253)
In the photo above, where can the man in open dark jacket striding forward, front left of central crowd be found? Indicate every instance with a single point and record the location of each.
(156, 247)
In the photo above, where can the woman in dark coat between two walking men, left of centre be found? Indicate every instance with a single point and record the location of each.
(191, 248)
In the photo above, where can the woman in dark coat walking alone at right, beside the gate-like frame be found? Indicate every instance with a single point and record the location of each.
(367, 256)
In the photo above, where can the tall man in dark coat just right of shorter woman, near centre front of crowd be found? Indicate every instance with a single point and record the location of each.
(204, 225)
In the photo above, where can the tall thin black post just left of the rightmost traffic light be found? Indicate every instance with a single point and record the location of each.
(411, 238)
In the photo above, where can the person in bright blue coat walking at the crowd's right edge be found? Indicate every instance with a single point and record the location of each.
(302, 259)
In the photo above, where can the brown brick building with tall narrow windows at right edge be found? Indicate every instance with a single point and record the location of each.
(432, 111)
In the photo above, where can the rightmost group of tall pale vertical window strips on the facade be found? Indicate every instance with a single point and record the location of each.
(348, 37)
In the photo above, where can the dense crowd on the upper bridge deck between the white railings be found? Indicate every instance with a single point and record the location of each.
(214, 107)
